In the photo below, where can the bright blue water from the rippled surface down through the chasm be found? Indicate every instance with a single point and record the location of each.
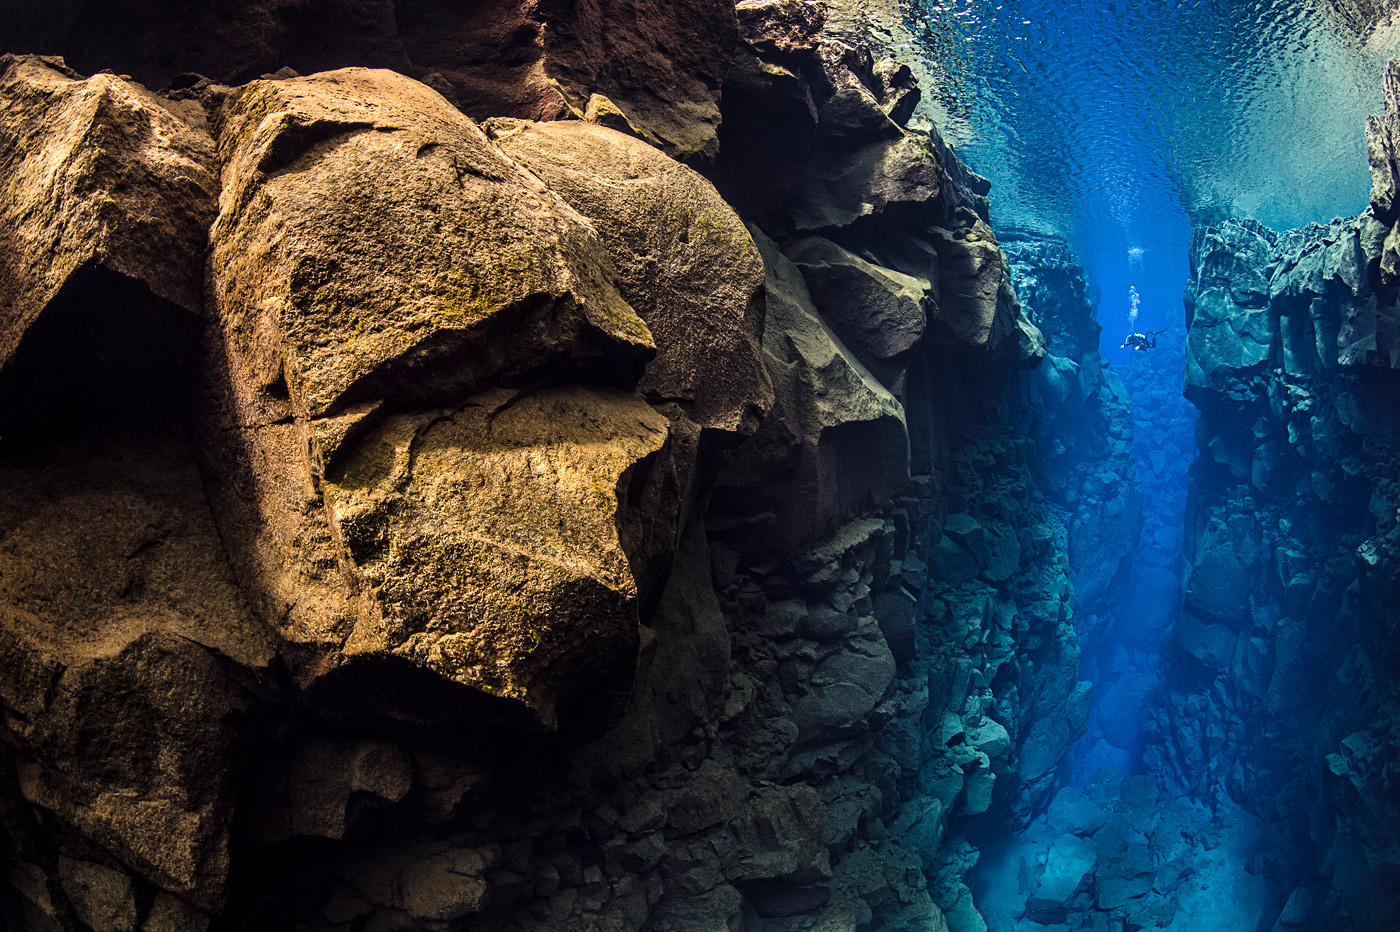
(1119, 127)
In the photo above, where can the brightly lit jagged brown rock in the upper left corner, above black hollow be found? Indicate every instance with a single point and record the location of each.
(99, 174)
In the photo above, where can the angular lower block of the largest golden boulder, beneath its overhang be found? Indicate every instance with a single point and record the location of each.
(492, 542)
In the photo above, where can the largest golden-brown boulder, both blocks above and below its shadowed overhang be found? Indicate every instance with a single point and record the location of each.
(376, 264)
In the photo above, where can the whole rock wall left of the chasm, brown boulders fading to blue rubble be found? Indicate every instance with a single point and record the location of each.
(422, 523)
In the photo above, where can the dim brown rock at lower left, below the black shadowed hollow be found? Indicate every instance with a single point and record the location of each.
(124, 646)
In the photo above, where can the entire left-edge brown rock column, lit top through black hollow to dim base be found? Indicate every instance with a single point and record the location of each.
(127, 646)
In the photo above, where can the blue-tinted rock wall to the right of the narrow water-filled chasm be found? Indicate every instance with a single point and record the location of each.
(1282, 693)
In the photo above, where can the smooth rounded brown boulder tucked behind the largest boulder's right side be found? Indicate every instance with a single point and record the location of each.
(685, 262)
